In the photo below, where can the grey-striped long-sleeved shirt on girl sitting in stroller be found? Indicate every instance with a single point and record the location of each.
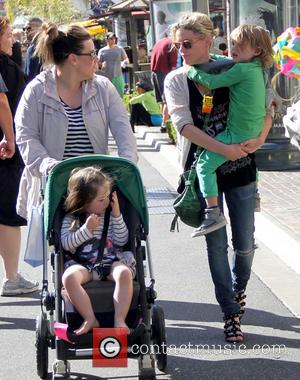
(72, 239)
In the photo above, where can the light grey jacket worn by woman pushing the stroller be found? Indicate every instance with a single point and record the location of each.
(41, 129)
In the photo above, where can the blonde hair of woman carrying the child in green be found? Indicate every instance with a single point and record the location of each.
(196, 22)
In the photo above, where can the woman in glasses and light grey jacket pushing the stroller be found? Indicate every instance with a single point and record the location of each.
(67, 110)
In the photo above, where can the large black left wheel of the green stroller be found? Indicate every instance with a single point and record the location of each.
(41, 344)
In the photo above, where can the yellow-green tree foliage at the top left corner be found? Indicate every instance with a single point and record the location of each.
(58, 11)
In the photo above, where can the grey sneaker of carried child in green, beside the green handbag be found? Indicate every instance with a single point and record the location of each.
(213, 220)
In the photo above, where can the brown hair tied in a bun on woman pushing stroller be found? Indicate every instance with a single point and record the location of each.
(55, 45)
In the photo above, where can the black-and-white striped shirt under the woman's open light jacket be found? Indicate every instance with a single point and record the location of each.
(78, 141)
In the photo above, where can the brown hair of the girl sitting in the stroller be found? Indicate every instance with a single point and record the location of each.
(83, 187)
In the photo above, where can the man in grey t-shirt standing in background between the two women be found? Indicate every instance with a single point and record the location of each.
(112, 59)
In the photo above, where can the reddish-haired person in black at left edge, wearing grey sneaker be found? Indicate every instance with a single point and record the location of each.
(10, 174)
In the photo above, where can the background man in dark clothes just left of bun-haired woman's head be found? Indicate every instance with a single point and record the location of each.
(32, 64)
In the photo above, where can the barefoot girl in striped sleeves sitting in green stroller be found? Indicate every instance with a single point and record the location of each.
(89, 196)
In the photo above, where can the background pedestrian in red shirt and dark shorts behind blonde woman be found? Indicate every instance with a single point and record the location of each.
(163, 60)
